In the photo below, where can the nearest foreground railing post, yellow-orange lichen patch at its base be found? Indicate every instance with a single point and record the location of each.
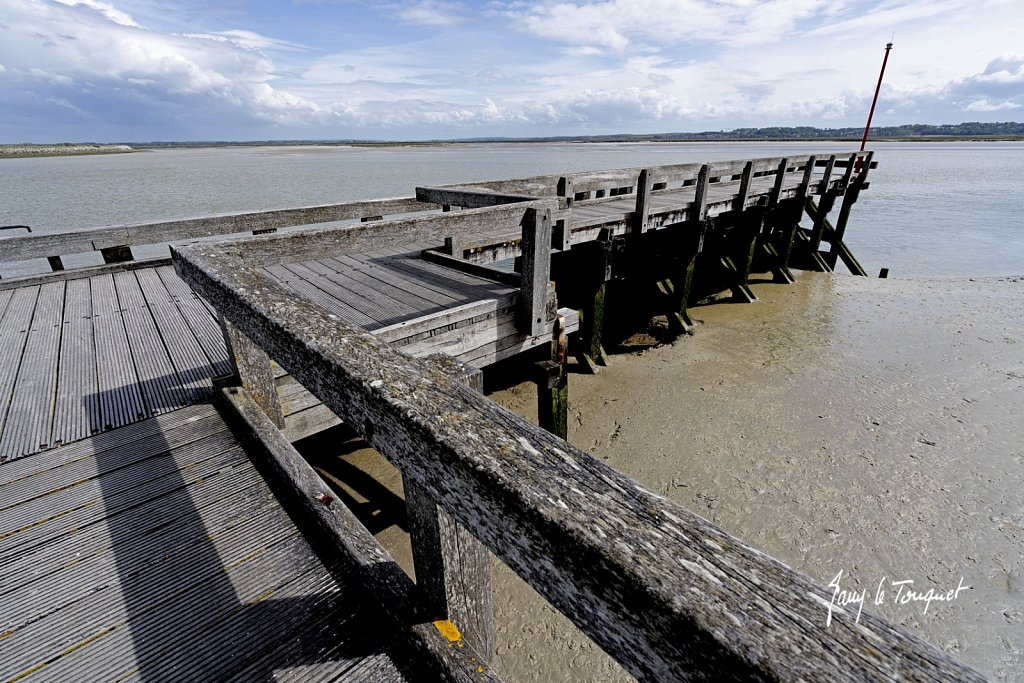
(453, 569)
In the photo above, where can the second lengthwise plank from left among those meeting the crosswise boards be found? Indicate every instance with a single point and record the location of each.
(76, 411)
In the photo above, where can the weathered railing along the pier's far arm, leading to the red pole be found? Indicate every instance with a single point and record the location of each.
(748, 184)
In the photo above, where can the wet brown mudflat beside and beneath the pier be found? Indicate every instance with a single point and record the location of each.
(869, 426)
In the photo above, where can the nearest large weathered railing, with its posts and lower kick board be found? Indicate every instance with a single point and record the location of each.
(668, 594)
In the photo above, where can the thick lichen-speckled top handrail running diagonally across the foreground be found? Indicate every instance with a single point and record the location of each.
(667, 593)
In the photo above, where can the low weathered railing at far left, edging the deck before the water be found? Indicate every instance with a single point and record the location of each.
(115, 242)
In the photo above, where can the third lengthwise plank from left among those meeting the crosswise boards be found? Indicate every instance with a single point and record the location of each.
(120, 399)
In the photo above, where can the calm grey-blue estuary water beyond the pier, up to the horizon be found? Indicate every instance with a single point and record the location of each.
(933, 210)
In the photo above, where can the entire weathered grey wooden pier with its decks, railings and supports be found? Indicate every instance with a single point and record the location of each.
(156, 522)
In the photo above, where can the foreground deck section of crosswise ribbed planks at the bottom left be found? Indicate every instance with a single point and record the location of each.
(157, 552)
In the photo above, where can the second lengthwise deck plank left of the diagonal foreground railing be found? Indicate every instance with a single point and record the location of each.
(188, 357)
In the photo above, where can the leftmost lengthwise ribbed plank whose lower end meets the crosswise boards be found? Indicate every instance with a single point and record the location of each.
(27, 429)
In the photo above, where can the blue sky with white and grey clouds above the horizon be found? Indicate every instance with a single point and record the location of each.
(239, 70)
